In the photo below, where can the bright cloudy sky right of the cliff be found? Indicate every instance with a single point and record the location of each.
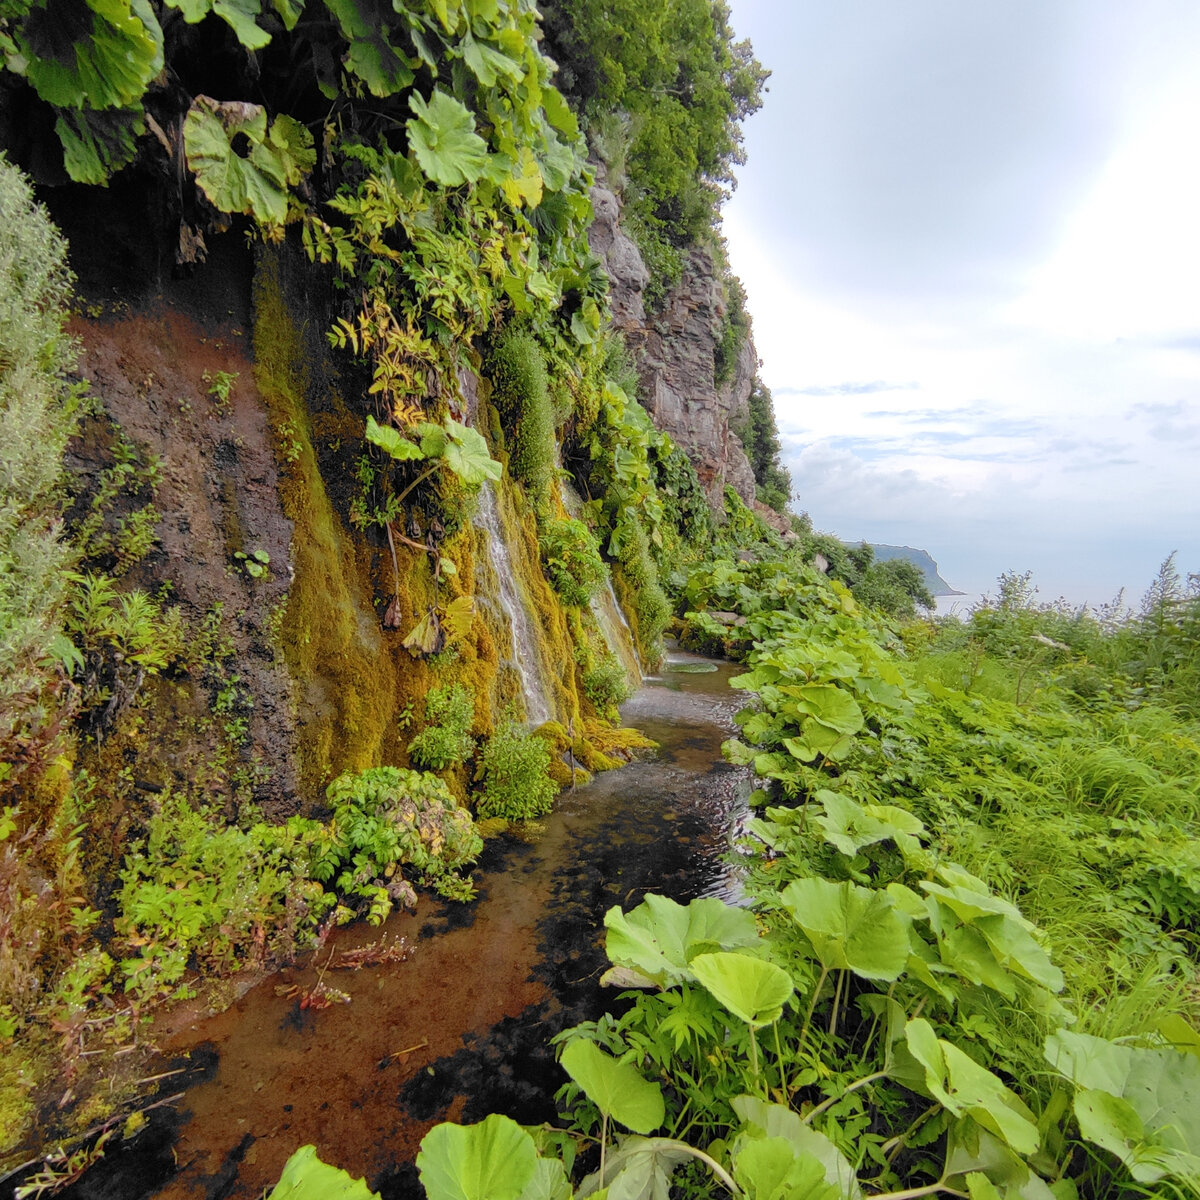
(970, 236)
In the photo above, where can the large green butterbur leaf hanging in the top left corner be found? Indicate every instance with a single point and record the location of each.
(91, 53)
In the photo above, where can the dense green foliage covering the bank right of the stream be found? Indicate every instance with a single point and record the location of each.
(970, 963)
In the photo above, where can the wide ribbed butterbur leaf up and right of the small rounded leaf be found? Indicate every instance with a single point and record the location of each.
(851, 928)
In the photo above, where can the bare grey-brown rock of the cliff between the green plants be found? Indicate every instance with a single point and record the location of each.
(676, 355)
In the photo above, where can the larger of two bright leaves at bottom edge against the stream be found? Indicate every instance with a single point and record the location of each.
(495, 1160)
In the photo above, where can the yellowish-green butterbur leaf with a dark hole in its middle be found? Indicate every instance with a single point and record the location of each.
(238, 164)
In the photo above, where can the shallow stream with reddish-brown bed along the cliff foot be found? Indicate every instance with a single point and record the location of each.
(460, 1028)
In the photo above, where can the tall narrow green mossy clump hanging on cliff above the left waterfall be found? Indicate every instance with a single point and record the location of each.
(521, 394)
